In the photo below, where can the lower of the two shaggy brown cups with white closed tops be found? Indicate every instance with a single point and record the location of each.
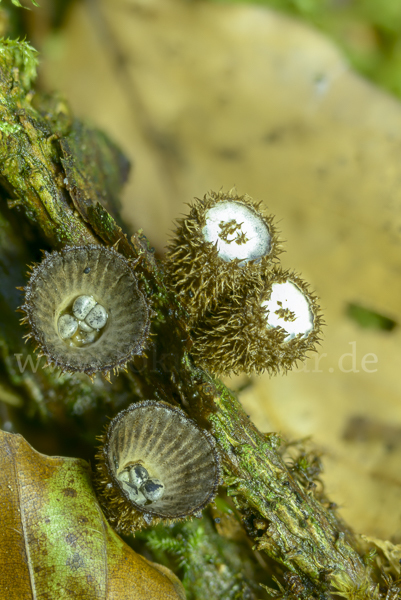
(270, 331)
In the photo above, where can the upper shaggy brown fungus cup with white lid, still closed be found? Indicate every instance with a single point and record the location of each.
(226, 241)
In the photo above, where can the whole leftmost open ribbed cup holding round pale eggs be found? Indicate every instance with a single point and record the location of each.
(85, 311)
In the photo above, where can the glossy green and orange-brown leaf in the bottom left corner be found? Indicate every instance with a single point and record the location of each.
(54, 540)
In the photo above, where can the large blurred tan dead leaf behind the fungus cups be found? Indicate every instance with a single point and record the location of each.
(206, 96)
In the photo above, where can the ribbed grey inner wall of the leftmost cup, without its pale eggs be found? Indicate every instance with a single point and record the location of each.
(99, 272)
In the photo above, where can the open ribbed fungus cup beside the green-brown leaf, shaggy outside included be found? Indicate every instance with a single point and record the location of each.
(155, 465)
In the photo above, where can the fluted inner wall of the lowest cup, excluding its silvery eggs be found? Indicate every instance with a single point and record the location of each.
(173, 449)
